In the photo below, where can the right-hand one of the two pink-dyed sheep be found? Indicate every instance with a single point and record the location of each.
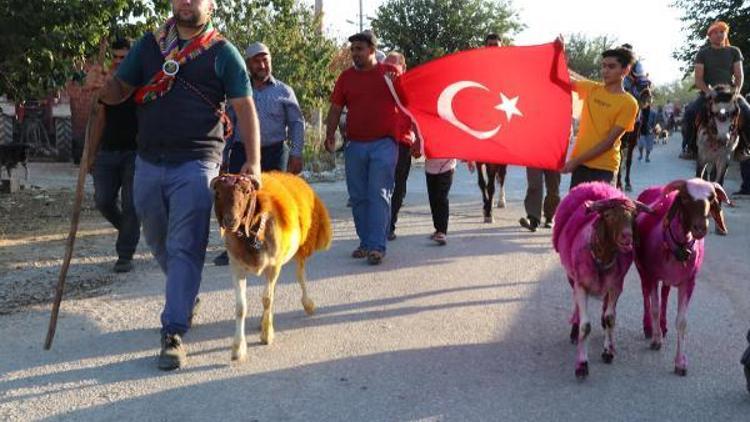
(670, 251)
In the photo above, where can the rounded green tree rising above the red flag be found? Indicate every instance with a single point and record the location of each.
(425, 29)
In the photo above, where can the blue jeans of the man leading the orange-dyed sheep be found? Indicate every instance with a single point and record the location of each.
(173, 201)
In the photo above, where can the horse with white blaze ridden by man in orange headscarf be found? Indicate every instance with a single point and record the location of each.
(718, 133)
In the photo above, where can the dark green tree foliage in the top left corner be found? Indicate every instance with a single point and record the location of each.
(44, 43)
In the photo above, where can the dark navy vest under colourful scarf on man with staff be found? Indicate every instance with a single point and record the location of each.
(181, 126)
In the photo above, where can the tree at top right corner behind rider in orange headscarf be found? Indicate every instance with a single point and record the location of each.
(697, 17)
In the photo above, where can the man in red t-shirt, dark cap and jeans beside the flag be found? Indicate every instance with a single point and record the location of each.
(371, 154)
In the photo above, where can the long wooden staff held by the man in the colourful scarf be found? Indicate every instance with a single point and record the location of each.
(82, 170)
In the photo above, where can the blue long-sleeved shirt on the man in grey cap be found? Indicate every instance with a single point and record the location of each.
(279, 115)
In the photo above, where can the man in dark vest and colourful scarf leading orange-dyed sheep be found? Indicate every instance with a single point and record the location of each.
(182, 75)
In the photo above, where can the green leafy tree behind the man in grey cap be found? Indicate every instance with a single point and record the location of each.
(302, 55)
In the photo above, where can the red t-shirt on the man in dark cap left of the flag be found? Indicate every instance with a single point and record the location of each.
(371, 111)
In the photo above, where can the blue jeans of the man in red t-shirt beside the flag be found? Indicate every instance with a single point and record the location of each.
(370, 172)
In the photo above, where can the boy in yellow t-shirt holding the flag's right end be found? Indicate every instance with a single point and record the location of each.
(608, 112)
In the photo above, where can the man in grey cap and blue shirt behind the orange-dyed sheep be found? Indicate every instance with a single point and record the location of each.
(280, 120)
